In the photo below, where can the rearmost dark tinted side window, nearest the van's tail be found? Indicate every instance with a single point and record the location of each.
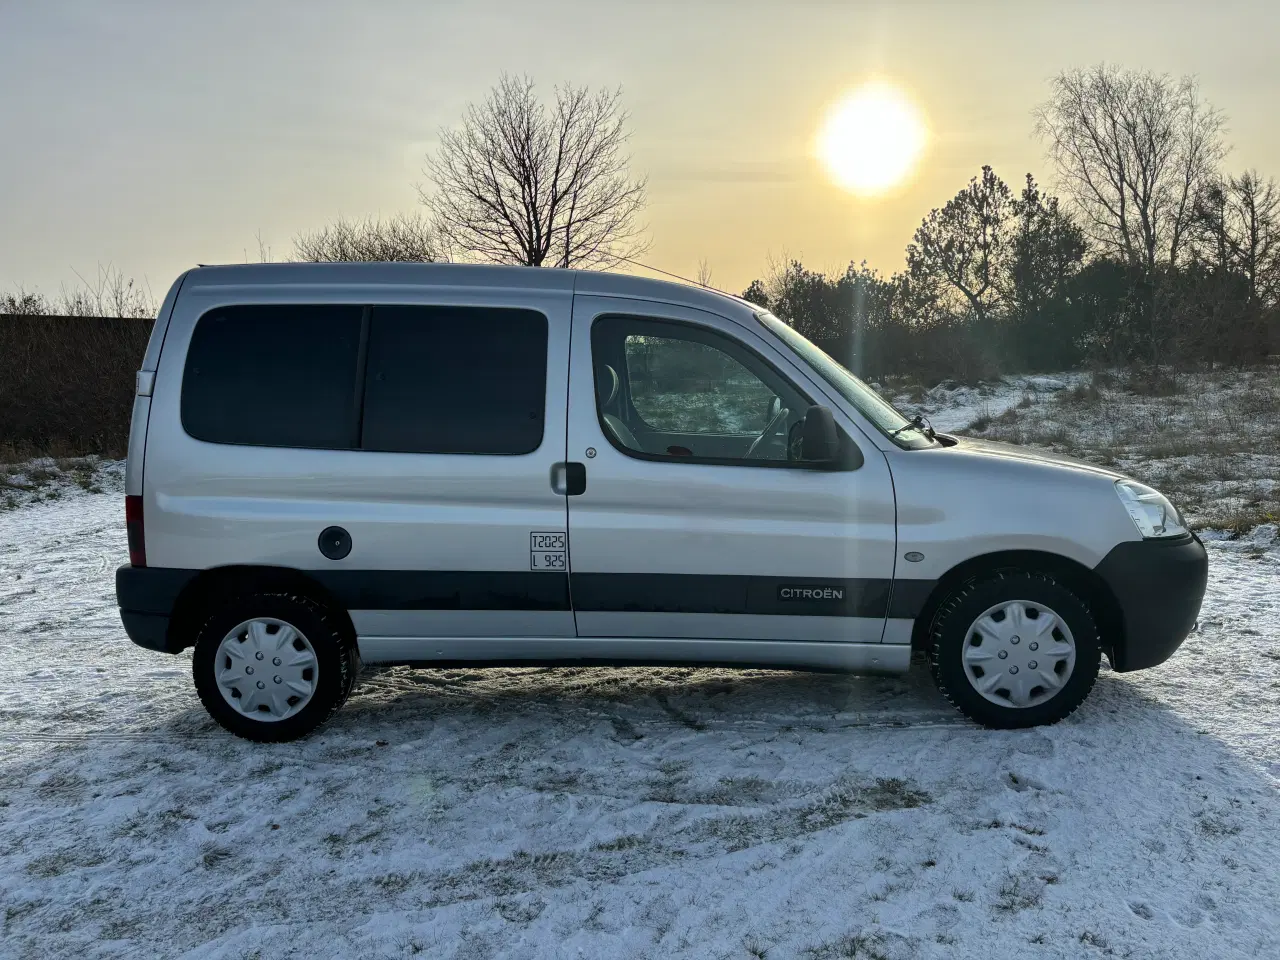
(275, 377)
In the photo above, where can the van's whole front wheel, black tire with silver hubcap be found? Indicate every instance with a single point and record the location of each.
(1016, 650)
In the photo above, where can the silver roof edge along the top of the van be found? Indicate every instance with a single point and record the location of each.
(586, 282)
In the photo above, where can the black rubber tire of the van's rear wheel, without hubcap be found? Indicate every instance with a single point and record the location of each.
(337, 664)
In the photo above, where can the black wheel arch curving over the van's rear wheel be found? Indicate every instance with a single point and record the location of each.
(199, 597)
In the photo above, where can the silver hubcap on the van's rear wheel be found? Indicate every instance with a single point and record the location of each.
(267, 670)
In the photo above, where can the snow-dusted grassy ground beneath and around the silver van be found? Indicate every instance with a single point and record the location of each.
(625, 813)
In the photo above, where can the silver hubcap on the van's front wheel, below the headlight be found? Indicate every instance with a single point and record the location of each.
(1020, 655)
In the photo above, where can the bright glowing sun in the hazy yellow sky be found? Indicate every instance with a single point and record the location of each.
(872, 140)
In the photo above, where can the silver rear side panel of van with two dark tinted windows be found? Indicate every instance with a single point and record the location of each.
(426, 431)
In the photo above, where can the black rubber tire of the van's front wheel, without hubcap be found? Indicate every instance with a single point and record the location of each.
(971, 601)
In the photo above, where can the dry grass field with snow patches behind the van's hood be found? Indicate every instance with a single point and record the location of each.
(1209, 441)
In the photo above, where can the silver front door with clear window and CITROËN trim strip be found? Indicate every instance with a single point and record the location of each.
(696, 522)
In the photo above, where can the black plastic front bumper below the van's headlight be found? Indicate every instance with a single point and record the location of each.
(1159, 587)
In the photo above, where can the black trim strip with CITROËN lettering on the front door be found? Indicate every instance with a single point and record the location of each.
(697, 593)
